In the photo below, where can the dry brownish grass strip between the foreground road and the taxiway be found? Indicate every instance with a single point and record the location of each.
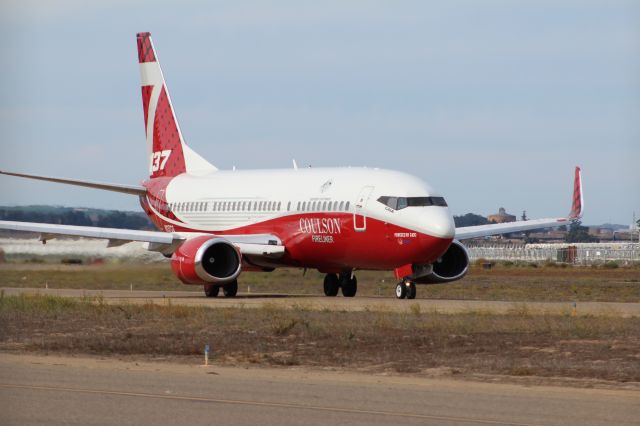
(414, 342)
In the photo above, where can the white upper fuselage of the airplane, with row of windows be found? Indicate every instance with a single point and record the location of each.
(225, 200)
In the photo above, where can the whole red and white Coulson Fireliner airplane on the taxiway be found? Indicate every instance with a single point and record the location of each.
(215, 224)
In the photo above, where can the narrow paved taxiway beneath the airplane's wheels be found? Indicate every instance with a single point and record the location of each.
(192, 298)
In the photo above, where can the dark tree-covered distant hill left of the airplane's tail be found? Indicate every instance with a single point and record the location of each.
(77, 216)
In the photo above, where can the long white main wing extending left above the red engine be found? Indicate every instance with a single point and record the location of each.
(165, 242)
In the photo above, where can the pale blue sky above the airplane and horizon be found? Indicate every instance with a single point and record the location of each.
(493, 103)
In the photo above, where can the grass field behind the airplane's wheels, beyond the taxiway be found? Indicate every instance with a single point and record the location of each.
(511, 283)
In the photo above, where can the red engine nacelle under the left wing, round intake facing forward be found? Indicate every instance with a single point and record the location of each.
(206, 260)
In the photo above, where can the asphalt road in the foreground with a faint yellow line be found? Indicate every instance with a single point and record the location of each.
(81, 391)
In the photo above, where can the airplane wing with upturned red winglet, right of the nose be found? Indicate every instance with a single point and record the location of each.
(467, 232)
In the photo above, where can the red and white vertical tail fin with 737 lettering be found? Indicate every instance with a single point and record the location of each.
(168, 154)
